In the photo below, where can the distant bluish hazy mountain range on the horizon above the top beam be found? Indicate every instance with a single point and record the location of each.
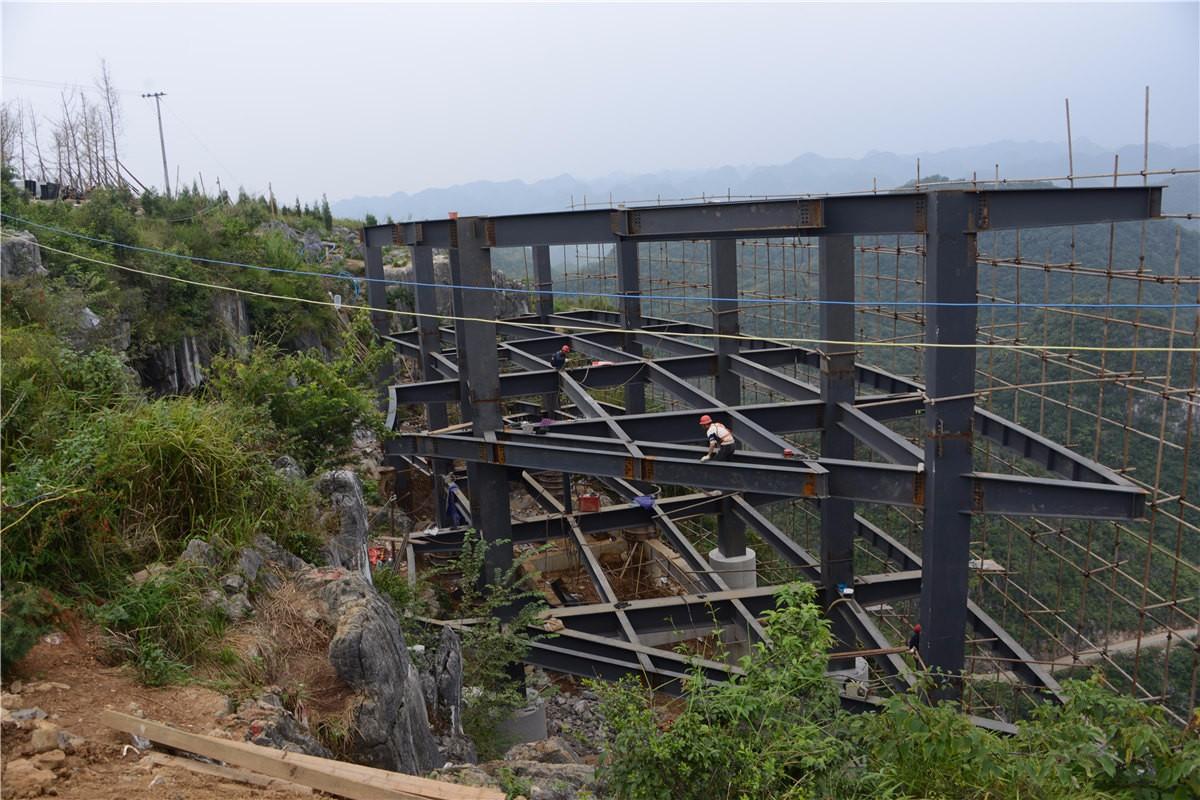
(809, 173)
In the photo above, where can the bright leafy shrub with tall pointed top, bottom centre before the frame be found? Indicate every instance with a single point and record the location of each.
(761, 735)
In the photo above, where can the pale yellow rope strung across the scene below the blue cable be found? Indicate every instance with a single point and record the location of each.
(585, 329)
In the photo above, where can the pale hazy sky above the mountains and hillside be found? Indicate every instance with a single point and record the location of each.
(373, 99)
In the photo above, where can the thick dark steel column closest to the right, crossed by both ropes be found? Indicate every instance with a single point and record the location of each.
(951, 278)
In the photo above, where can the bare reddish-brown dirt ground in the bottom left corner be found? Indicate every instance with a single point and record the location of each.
(64, 678)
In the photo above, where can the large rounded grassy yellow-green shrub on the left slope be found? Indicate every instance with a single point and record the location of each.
(131, 485)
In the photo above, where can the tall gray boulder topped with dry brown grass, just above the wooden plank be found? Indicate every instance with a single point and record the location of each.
(368, 652)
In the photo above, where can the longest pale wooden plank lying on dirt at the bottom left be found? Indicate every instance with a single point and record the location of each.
(322, 774)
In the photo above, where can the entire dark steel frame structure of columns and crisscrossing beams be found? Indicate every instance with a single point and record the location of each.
(628, 448)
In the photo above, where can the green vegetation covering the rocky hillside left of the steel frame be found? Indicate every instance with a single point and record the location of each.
(101, 482)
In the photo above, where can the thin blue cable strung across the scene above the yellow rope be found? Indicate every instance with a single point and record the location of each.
(705, 299)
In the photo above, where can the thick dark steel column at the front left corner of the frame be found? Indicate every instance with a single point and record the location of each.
(477, 335)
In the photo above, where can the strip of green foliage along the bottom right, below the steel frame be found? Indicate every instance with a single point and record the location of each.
(777, 732)
